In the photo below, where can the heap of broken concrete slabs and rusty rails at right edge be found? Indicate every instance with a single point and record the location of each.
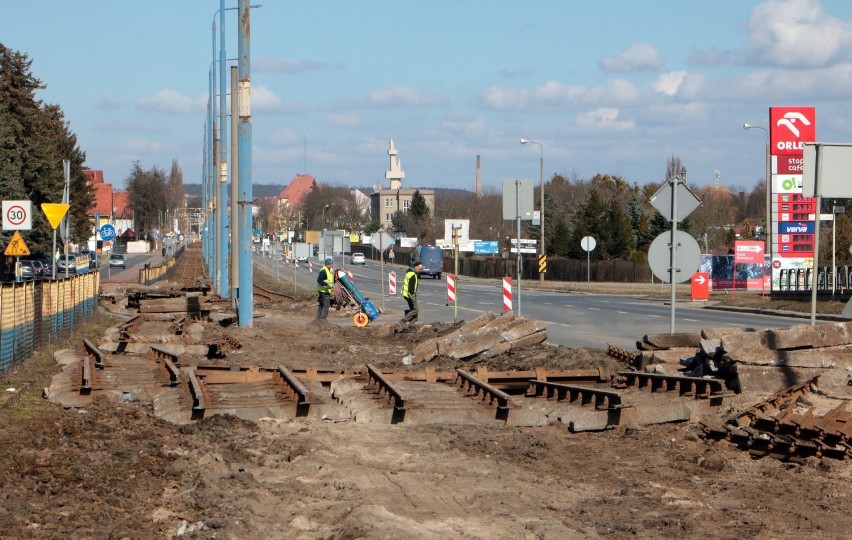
(785, 363)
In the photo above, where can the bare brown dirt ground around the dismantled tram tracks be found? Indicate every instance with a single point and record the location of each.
(113, 470)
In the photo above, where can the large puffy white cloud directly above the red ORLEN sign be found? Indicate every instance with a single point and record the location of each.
(796, 33)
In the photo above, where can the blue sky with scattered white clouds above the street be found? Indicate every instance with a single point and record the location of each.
(613, 87)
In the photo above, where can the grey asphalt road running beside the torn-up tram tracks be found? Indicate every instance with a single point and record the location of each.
(574, 319)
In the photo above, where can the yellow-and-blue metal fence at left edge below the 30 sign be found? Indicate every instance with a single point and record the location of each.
(33, 314)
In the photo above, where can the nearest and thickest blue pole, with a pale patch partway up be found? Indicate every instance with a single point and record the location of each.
(245, 312)
